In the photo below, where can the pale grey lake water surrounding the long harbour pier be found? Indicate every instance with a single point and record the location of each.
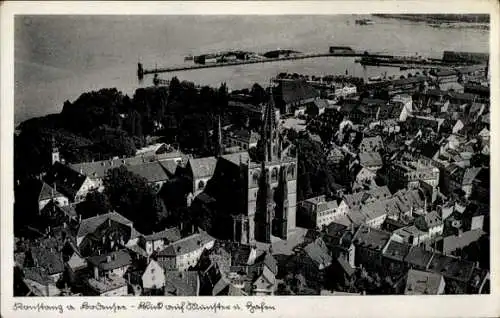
(59, 57)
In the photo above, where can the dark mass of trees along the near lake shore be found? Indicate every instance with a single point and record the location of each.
(106, 123)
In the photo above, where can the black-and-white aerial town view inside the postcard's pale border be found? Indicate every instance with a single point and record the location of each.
(251, 155)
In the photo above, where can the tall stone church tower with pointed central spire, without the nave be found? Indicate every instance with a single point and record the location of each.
(272, 184)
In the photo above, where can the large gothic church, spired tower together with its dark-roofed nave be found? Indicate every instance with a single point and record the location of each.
(256, 201)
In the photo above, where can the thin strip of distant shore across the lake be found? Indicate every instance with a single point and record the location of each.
(452, 21)
